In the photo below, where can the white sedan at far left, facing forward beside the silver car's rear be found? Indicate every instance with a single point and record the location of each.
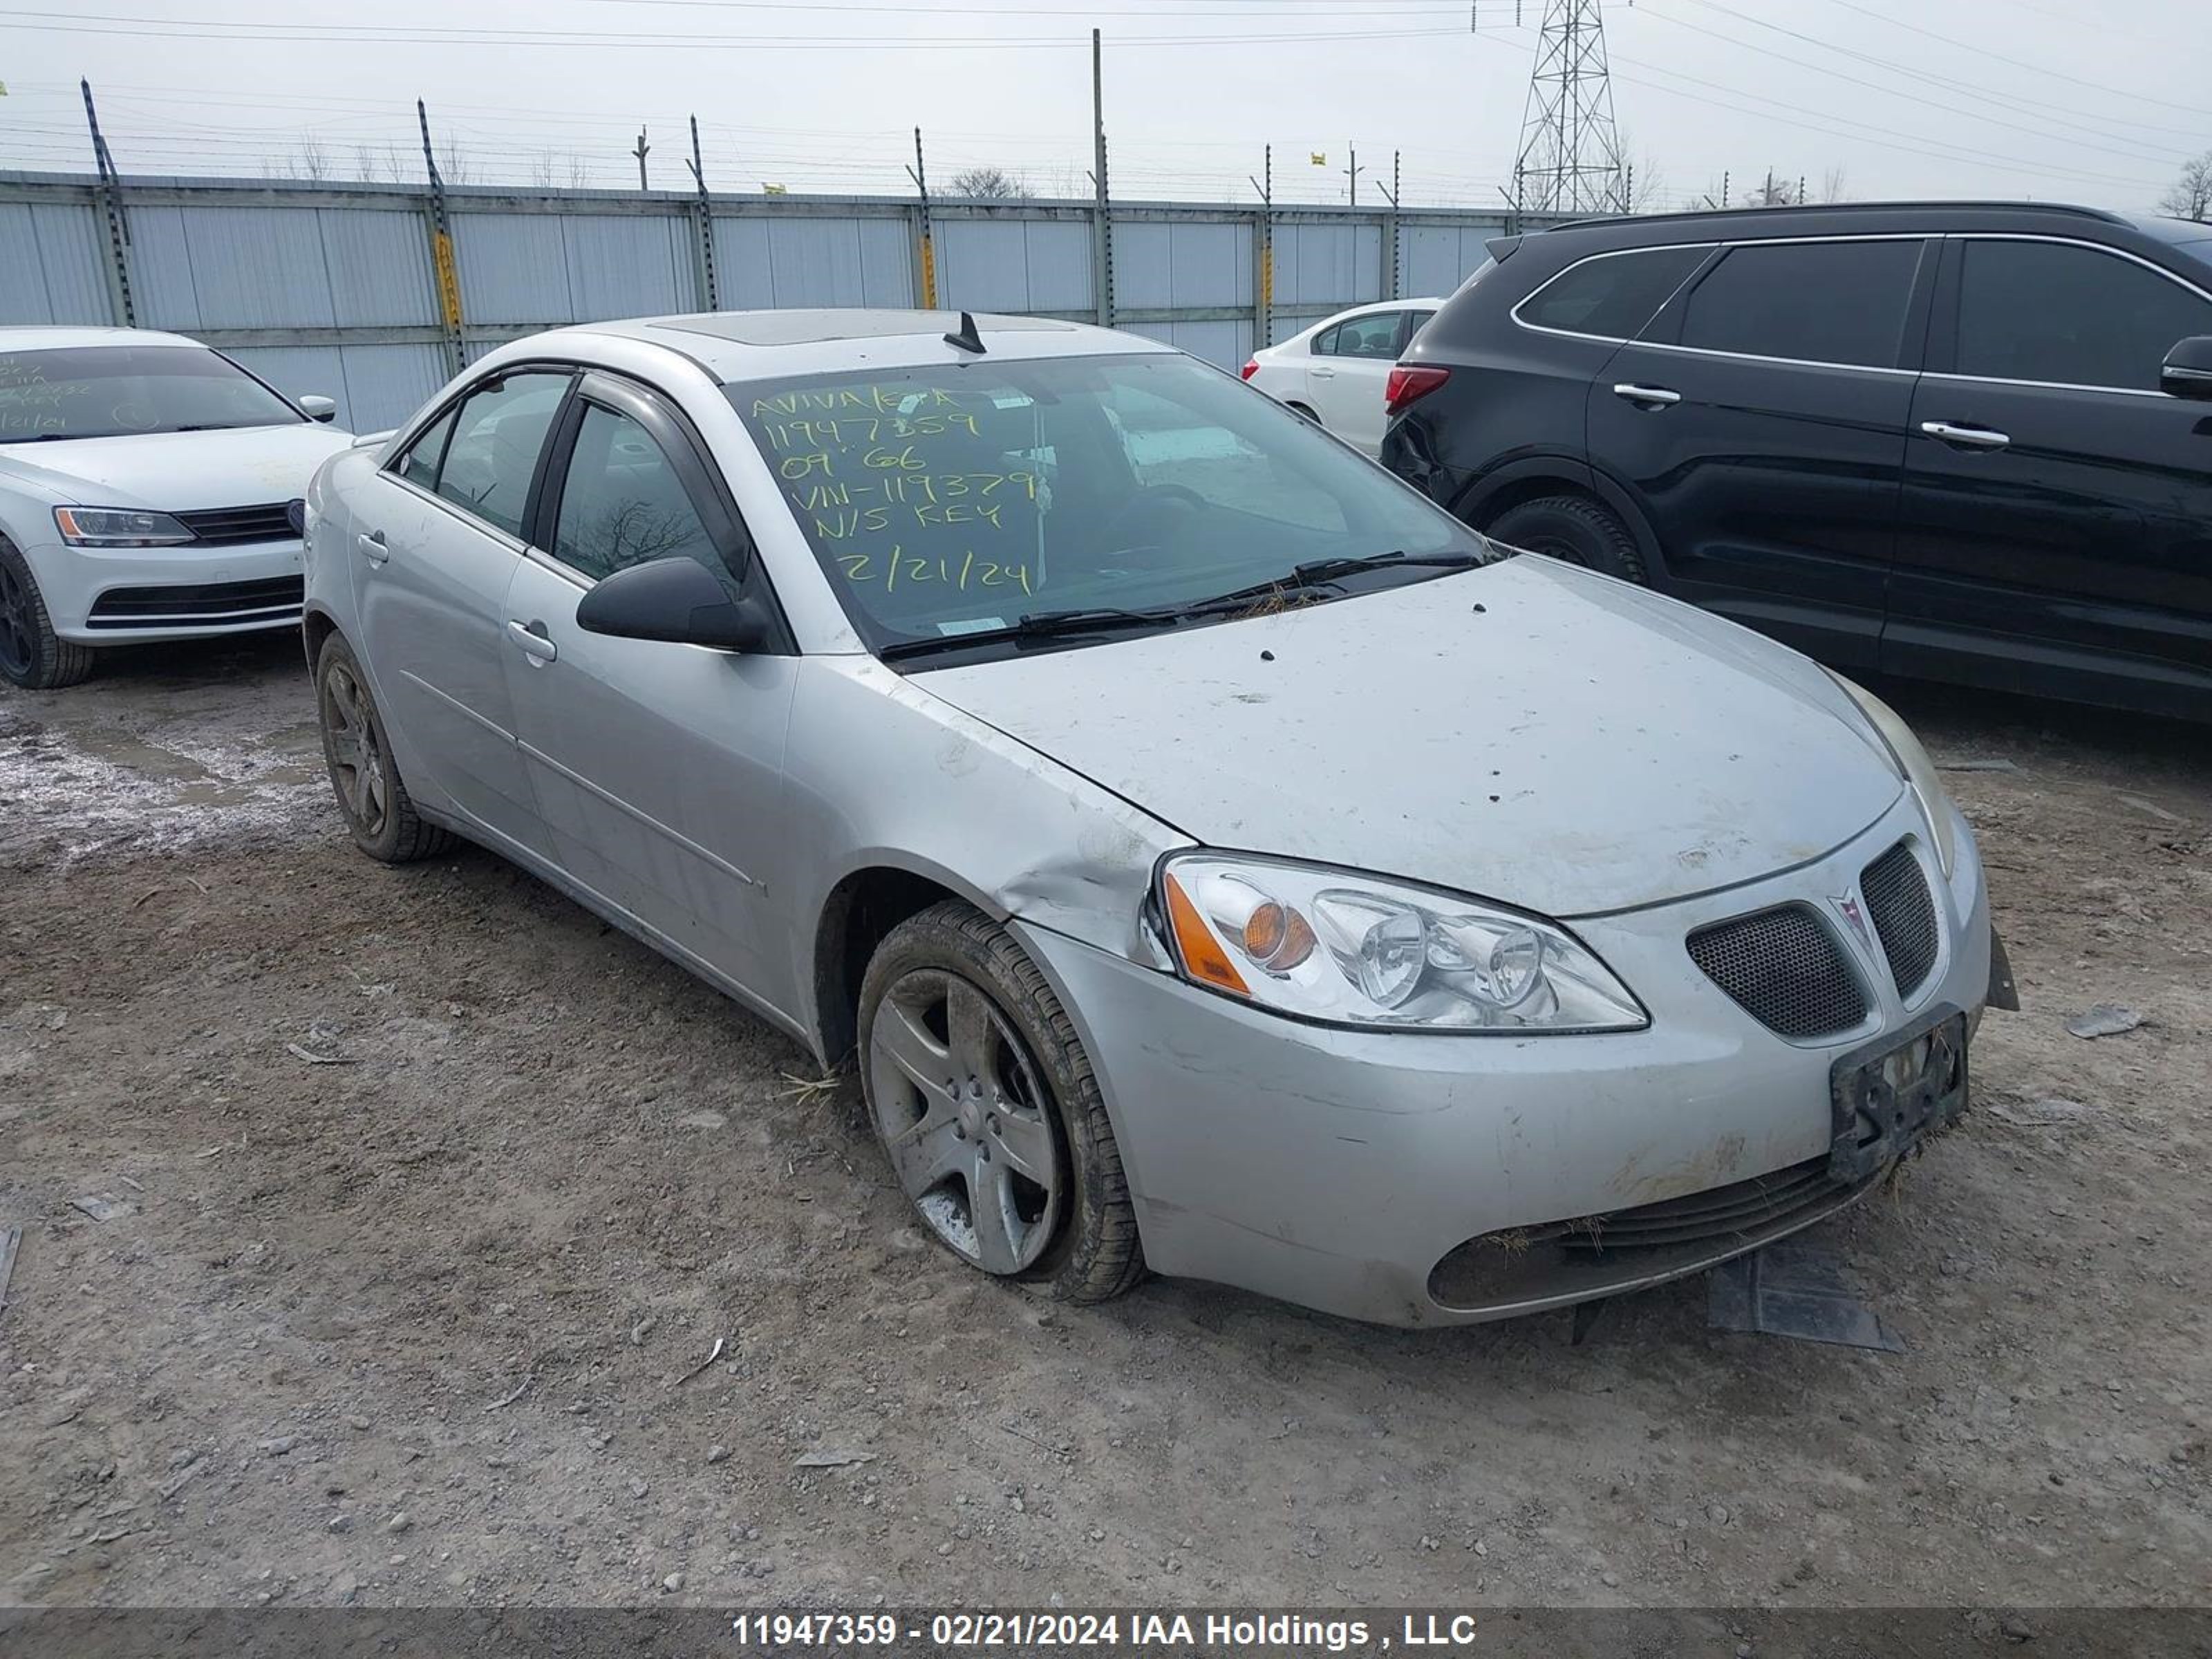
(145, 488)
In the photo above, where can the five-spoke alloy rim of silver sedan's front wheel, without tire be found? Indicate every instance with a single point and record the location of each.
(966, 1120)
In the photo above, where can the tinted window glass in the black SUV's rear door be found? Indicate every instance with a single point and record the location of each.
(1811, 302)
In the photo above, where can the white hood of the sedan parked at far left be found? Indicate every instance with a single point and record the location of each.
(178, 472)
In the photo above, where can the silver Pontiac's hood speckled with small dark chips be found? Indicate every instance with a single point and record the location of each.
(1527, 733)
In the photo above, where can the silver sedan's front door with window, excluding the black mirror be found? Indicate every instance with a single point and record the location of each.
(658, 766)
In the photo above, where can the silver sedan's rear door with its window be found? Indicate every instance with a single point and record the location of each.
(437, 541)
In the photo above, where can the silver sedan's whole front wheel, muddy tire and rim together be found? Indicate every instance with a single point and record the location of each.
(990, 1112)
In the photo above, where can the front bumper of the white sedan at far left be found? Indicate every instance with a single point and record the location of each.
(132, 594)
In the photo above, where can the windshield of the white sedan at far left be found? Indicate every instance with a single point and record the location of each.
(116, 390)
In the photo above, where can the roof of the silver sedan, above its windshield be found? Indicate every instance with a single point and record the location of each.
(766, 346)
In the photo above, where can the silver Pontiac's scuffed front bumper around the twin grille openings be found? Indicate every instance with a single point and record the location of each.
(1346, 1171)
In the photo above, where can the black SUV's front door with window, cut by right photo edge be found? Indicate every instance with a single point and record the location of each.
(2058, 508)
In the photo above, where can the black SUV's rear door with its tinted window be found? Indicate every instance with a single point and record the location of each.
(1760, 424)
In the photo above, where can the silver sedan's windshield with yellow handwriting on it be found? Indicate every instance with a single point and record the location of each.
(961, 499)
